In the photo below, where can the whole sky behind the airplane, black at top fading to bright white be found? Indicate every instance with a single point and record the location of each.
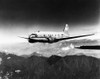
(22, 17)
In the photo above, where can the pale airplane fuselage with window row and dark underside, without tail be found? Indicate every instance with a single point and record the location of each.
(46, 36)
